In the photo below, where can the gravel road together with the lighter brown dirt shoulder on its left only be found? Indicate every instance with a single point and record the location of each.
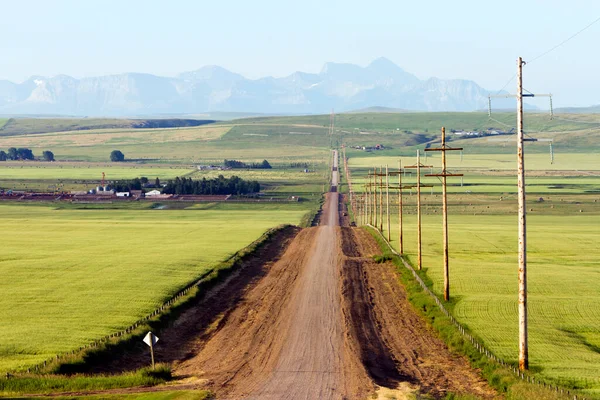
(286, 339)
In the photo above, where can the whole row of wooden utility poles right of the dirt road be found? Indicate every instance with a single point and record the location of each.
(369, 208)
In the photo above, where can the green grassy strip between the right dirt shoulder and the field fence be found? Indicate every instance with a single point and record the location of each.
(499, 377)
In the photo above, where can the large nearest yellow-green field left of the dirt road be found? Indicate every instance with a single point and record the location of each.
(72, 276)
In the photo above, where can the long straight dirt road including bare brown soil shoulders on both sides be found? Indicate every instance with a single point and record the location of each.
(311, 316)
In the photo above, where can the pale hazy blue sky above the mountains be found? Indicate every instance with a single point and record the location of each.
(478, 40)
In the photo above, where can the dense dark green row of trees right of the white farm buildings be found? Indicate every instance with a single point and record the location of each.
(220, 185)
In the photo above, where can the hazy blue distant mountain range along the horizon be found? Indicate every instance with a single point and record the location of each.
(343, 87)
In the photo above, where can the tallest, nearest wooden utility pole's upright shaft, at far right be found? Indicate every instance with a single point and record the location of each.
(523, 339)
